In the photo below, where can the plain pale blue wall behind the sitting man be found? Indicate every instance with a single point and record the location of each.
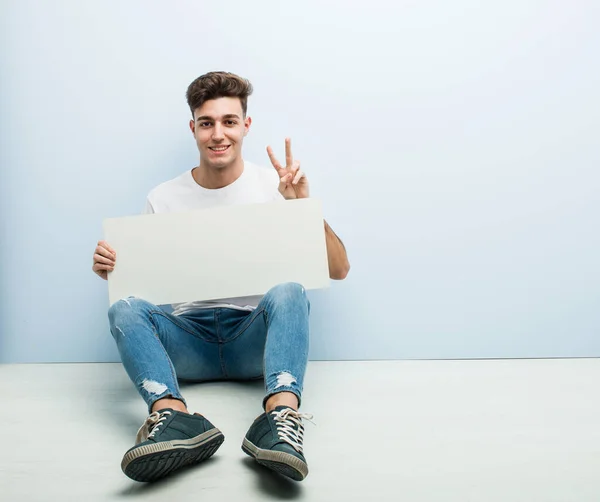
(454, 145)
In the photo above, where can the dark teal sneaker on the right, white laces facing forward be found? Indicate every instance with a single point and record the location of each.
(275, 441)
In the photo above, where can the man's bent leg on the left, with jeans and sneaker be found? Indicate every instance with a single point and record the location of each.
(152, 344)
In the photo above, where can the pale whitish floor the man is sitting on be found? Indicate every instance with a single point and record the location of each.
(484, 431)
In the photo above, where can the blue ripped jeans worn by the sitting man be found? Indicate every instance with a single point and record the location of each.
(270, 342)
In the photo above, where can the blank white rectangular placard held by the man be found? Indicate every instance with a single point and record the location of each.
(220, 252)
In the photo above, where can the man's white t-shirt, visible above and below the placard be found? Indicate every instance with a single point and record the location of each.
(255, 185)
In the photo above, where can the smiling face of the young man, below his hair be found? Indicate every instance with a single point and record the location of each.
(219, 128)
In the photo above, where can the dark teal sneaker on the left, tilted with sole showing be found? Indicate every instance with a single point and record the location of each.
(169, 440)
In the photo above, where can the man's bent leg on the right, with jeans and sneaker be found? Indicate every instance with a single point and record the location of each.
(276, 335)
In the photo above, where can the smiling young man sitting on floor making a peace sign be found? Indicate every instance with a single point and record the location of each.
(234, 338)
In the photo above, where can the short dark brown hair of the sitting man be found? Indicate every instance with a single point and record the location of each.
(218, 84)
